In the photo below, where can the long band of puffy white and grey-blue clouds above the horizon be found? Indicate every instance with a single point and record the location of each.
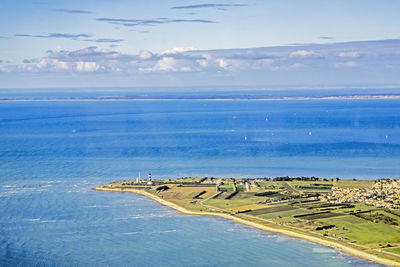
(185, 59)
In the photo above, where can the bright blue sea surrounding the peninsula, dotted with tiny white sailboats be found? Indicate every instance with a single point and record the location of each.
(54, 152)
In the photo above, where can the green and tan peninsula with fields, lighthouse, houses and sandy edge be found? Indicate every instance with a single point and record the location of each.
(360, 217)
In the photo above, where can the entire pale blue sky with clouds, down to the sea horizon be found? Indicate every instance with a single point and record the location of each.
(88, 43)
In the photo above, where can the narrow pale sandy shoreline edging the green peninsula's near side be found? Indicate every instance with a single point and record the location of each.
(346, 249)
